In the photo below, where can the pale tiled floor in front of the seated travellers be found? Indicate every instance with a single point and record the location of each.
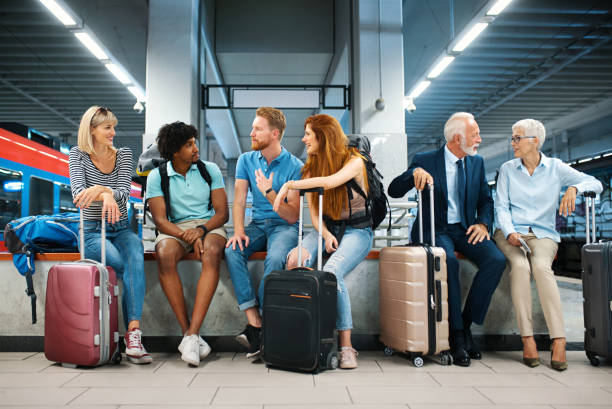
(229, 380)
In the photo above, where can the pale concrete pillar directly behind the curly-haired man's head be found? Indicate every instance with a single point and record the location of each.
(173, 79)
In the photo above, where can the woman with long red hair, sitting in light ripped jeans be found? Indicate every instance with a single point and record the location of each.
(332, 165)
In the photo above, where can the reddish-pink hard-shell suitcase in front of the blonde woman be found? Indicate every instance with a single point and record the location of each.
(81, 311)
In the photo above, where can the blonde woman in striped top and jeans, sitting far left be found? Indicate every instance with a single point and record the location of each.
(100, 178)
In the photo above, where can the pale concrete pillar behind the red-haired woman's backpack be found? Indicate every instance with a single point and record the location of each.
(378, 72)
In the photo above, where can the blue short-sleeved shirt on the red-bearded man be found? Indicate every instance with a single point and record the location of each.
(286, 167)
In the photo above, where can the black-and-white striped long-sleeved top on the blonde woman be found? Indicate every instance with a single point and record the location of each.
(84, 174)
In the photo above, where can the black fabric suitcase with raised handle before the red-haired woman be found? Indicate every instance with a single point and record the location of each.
(299, 313)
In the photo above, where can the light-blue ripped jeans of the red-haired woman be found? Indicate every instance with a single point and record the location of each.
(353, 248)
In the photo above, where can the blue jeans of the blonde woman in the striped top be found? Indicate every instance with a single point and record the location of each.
(125, 254)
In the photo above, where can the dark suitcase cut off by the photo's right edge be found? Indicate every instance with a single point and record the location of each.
(597, 291)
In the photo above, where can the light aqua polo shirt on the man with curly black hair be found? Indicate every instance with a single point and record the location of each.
(189, 195)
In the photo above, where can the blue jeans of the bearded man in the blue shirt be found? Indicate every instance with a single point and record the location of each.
(273, 235)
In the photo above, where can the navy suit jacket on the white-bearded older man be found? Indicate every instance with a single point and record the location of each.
(478, 206)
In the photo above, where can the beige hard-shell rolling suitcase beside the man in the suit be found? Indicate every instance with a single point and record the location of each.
(414, 298)
